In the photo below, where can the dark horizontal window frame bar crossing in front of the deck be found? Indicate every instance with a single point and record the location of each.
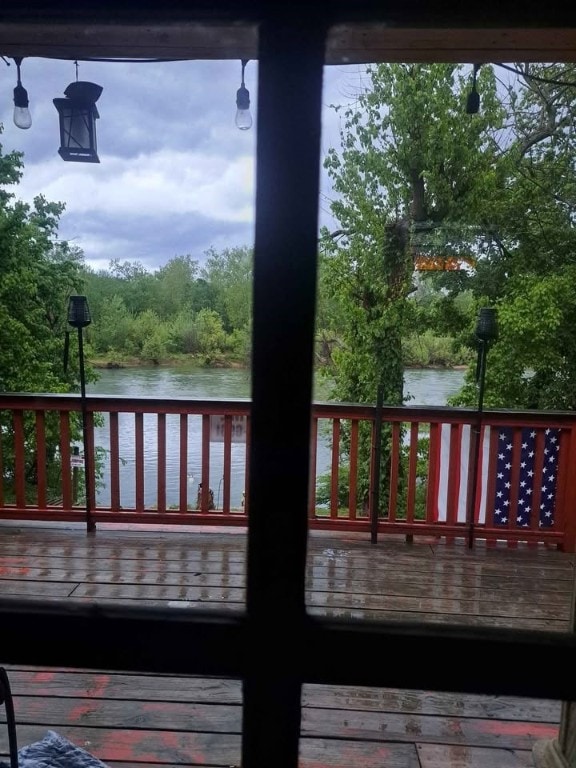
(497, 661)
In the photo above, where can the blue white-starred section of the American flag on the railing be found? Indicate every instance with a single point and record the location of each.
(536, 487)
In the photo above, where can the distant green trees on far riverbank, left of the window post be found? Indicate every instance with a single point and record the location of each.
(177, 310)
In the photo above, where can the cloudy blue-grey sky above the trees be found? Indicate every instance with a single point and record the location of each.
(175, 175)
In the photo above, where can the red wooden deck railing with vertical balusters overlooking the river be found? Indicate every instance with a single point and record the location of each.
(140, 453)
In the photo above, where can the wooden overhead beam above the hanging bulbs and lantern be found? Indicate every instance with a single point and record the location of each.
(350, 43)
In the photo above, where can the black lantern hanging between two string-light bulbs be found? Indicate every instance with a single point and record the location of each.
(78, 116)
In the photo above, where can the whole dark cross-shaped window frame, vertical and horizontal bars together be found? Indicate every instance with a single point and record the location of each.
(251, 646)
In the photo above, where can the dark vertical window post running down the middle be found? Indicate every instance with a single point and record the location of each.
(291, 55)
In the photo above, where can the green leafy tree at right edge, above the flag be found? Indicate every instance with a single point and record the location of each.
(530, 272)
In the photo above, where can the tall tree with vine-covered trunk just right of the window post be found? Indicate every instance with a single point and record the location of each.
(408, 162)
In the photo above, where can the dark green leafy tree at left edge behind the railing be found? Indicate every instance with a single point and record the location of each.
(38, 273)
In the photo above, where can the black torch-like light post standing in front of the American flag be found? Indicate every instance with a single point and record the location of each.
(486, 331)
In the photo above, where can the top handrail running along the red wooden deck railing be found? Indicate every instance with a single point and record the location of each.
(323, 410)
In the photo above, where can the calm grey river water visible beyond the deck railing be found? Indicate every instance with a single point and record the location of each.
(426, 387)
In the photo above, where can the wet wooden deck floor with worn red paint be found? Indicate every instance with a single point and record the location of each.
(147, 720)
